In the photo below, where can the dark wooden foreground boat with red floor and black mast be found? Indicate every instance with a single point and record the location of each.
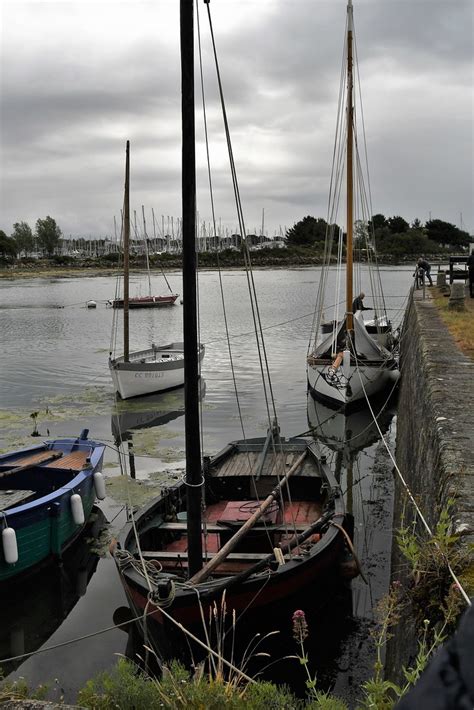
(254, 540)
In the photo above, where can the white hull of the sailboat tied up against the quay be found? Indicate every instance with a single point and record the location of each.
(361, 382)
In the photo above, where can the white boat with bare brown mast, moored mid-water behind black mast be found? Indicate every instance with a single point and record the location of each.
(159, 367)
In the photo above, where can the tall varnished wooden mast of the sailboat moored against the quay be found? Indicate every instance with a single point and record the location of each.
(349, 176)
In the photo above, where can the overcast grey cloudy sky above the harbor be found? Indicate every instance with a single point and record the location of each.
(80, 78)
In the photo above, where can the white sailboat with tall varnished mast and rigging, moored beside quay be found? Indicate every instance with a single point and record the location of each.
(349, 360)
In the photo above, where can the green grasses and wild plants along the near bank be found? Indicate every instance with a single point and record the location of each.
(428, 596)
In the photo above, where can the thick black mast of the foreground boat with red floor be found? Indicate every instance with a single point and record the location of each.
(191, 364)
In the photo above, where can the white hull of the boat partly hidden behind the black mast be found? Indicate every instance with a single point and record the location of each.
(157, 369)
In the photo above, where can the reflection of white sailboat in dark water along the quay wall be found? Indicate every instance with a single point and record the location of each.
(359, 458)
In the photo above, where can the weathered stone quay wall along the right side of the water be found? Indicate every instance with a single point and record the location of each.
(435, 425)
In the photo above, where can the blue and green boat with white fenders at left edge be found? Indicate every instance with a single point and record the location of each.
(47, 493)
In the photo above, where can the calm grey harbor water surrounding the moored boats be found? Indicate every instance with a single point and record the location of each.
(54, 362)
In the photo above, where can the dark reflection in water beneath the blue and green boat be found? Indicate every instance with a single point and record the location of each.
(32, 609)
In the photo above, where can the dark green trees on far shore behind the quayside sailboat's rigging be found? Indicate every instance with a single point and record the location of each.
(389, 235)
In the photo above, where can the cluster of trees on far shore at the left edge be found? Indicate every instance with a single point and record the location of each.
(46, 237)
